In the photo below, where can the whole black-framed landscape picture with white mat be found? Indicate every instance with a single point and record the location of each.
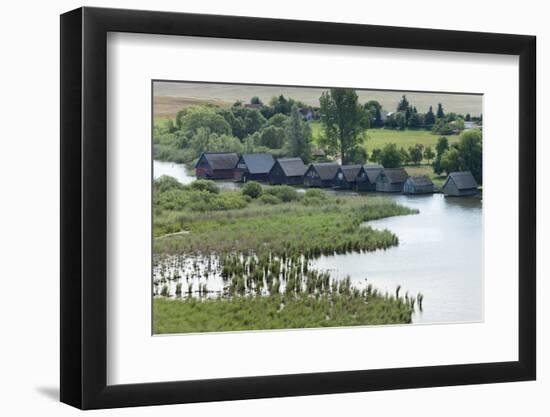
(257, 208)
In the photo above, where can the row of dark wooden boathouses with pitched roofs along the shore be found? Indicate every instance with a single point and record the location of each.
(293, 171)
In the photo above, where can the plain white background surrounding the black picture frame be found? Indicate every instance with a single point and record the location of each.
(29, 220)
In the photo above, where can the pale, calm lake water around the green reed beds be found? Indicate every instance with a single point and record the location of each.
(440, 254)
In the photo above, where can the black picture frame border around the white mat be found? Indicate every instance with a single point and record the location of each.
(84, 207)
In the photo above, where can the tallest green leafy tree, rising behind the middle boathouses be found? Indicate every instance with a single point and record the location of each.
(344, 121)
